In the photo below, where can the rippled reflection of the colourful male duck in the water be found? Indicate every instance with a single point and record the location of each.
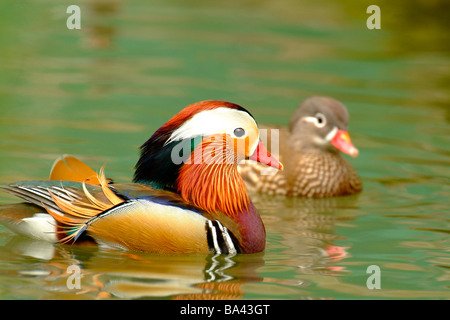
(110, 274)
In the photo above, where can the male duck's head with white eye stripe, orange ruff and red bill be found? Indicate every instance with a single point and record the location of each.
(197, 151)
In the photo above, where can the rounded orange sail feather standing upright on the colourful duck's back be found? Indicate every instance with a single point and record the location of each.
(69, 168)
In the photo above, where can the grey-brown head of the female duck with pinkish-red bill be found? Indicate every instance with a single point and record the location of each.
(322, 122)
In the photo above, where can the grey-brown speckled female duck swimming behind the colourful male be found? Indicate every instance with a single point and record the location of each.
(310, 151)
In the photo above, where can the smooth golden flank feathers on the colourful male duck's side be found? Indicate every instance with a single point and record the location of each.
(142, 225)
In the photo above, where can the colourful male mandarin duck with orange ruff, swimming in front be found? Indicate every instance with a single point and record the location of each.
(187, 195)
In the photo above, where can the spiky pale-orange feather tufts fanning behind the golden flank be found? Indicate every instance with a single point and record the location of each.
(77, 211)
